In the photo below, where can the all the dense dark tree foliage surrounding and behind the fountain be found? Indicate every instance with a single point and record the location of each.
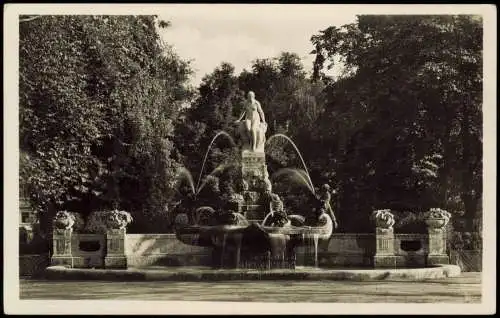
(103, 127)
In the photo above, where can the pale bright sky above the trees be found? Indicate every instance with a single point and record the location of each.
(211, 34)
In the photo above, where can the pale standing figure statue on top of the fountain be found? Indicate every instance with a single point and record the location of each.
(254, 126)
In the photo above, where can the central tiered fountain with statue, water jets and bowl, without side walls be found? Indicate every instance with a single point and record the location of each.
(254, 231)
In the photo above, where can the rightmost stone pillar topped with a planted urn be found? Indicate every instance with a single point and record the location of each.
(436, 220)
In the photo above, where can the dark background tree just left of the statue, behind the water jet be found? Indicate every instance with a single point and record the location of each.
(215, 109)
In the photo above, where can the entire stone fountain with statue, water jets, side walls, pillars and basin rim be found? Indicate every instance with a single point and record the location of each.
(247, 232)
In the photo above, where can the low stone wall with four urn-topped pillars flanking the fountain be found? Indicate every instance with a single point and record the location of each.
(383, 249)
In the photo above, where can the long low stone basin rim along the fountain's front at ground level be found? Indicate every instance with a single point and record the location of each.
(205, 274)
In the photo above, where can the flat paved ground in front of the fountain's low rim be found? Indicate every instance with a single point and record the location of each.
(463, 289)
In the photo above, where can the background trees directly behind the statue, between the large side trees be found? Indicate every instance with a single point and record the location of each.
(291, 102)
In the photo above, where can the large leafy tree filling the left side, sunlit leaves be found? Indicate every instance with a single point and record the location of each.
(98, 99)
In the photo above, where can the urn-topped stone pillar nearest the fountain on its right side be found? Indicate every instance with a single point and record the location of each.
(384, 236)
